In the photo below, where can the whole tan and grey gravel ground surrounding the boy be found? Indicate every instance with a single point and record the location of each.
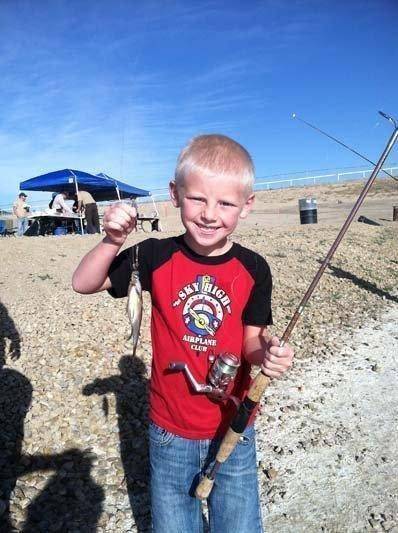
(73, 402)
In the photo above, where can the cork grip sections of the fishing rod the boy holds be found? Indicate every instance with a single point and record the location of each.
(231, 438)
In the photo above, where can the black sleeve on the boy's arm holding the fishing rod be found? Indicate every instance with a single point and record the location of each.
(258, 309)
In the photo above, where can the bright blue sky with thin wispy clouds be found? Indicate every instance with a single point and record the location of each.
(119, 86)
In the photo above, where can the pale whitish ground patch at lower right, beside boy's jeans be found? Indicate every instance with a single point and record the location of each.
(329, 460)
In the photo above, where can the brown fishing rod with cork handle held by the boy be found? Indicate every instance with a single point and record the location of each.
(261, 381)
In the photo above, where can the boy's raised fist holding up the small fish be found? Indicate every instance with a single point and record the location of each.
(119, 220)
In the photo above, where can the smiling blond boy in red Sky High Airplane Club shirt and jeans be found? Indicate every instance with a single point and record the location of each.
(209, 296)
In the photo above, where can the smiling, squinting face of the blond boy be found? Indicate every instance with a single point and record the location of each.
(210, 210)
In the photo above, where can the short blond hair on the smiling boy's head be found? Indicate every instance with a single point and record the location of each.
(213, 155)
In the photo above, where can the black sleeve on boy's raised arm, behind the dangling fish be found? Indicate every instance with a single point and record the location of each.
(121, 268)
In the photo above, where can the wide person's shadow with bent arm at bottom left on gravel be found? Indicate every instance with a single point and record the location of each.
(71, 500)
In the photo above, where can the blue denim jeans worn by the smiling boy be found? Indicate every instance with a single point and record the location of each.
(176, 465)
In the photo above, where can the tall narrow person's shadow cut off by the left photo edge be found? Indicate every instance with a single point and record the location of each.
(15, 399)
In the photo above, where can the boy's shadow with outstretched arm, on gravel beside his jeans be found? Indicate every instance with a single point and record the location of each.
(130, 389)
